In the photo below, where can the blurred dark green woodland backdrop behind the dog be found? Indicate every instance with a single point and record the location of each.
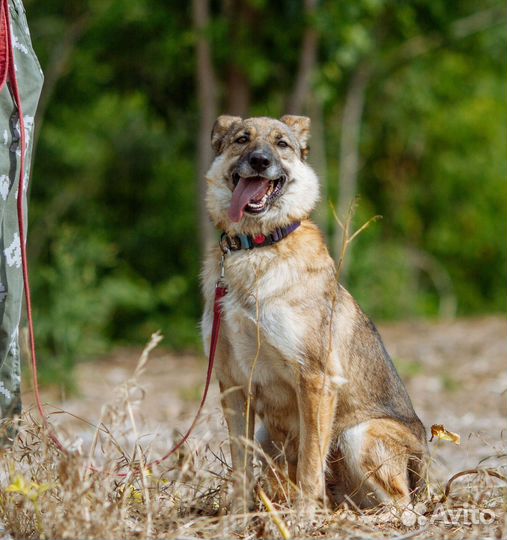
(408, 108)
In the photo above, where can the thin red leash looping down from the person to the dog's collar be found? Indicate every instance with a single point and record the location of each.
(8, 73)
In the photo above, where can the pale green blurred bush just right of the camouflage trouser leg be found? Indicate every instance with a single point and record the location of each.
(72, 305)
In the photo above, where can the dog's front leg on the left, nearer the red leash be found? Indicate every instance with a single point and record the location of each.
(241, 425)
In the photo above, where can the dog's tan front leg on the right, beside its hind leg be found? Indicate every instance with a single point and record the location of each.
(316, 404)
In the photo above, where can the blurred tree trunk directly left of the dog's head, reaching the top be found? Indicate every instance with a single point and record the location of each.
(206, 91)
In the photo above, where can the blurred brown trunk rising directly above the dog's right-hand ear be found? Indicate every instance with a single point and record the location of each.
(307, 62)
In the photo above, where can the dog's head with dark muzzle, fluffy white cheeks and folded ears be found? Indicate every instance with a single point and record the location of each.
(259, 179)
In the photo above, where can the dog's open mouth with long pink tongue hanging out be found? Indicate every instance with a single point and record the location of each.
(253, 194)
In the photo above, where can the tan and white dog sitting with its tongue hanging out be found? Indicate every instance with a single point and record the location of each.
(323, 385)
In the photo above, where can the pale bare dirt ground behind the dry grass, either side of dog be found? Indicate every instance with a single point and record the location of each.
(455, 373)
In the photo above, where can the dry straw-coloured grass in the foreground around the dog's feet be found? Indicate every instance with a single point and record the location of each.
(108, 492)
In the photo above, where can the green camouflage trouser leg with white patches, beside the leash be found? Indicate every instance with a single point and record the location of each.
(30, 78)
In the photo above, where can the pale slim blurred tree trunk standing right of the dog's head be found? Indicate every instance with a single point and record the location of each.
(349, 150)
